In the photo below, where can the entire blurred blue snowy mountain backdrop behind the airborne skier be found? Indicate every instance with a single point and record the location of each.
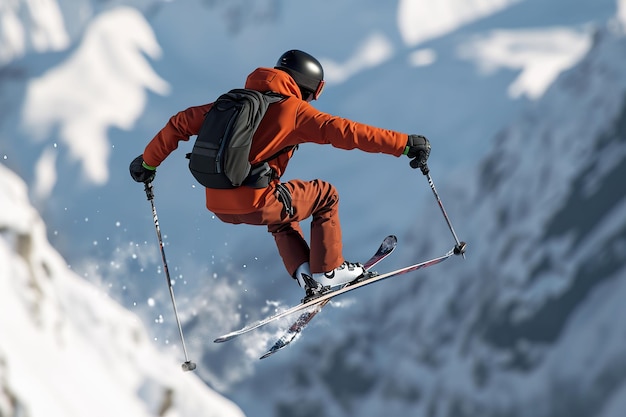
(522, 101)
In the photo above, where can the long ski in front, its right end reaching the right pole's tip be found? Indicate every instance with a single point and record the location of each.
(367, 280)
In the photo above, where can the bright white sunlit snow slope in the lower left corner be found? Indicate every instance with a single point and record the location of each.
(66, 348)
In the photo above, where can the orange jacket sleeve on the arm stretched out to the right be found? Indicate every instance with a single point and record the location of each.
(323, 128)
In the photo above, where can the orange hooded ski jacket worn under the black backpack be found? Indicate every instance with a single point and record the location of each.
(286, 123)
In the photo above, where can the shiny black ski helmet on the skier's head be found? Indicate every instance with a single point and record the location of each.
(306, 71)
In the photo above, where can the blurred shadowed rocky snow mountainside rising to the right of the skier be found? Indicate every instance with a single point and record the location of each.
(529, 324)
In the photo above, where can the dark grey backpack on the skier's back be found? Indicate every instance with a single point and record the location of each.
(220, 155)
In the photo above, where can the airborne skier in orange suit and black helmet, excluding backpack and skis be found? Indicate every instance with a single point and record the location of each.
(299, 78)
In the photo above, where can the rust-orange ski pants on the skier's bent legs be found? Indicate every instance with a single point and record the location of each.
(317, 199)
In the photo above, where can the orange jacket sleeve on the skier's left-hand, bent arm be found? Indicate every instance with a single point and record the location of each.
(181, 126)
